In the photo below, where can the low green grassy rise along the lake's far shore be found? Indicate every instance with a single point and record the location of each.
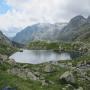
(66, 46)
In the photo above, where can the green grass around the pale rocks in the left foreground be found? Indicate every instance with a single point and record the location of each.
(14, 81)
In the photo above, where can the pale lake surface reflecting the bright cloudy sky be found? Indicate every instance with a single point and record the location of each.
(38, 56)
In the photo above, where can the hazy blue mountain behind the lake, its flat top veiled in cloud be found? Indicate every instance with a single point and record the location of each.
(40, 31)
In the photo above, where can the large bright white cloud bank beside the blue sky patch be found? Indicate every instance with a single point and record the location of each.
(26, 12)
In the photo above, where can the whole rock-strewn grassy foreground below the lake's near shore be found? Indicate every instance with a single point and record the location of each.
(62, 75)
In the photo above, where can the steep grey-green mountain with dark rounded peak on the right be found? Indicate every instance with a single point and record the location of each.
(77, 29)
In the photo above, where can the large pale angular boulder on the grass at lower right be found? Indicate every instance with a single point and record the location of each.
(67, 77)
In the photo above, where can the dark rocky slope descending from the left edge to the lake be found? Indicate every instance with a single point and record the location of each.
(6, 46)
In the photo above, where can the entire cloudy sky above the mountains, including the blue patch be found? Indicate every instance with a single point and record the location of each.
(17, 14)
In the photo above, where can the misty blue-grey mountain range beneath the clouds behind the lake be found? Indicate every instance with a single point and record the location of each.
(77, 29)
